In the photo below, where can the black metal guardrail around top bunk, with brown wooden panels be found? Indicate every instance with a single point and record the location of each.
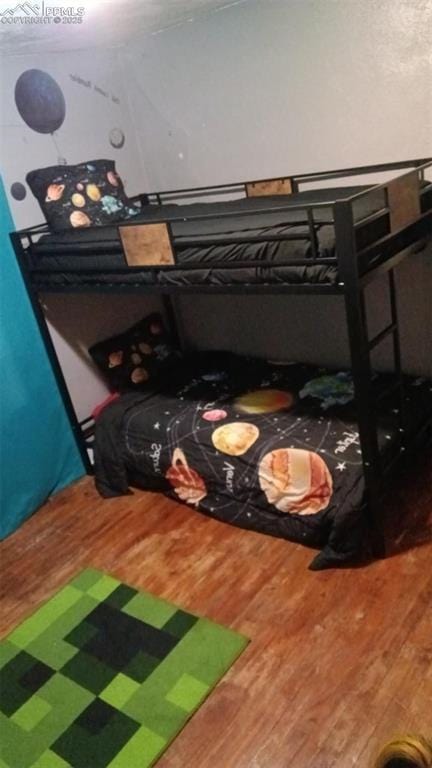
(405, 215)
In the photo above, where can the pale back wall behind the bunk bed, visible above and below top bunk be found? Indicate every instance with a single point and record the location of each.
(271, 87)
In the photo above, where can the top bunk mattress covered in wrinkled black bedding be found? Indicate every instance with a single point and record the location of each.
(212, 249)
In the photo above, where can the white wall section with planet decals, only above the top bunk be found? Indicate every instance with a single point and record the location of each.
(84, 134)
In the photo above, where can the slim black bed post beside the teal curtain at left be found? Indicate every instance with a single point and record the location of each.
(52, 354)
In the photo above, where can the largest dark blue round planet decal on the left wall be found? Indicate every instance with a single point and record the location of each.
(40, 101)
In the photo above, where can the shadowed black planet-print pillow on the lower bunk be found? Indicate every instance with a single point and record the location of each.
(137, 358)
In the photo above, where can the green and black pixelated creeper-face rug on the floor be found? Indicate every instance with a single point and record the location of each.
(103, 675)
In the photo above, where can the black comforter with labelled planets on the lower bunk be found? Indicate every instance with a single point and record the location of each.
(273, 448)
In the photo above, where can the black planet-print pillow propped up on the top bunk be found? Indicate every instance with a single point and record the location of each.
(84, 195)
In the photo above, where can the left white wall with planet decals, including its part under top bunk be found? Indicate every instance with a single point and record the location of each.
(75, 321)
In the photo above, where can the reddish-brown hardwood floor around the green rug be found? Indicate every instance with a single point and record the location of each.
(338, 661)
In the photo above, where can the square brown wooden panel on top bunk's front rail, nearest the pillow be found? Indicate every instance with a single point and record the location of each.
(147, 245)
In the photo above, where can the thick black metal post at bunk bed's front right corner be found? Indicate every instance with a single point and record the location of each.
(355, 311)
